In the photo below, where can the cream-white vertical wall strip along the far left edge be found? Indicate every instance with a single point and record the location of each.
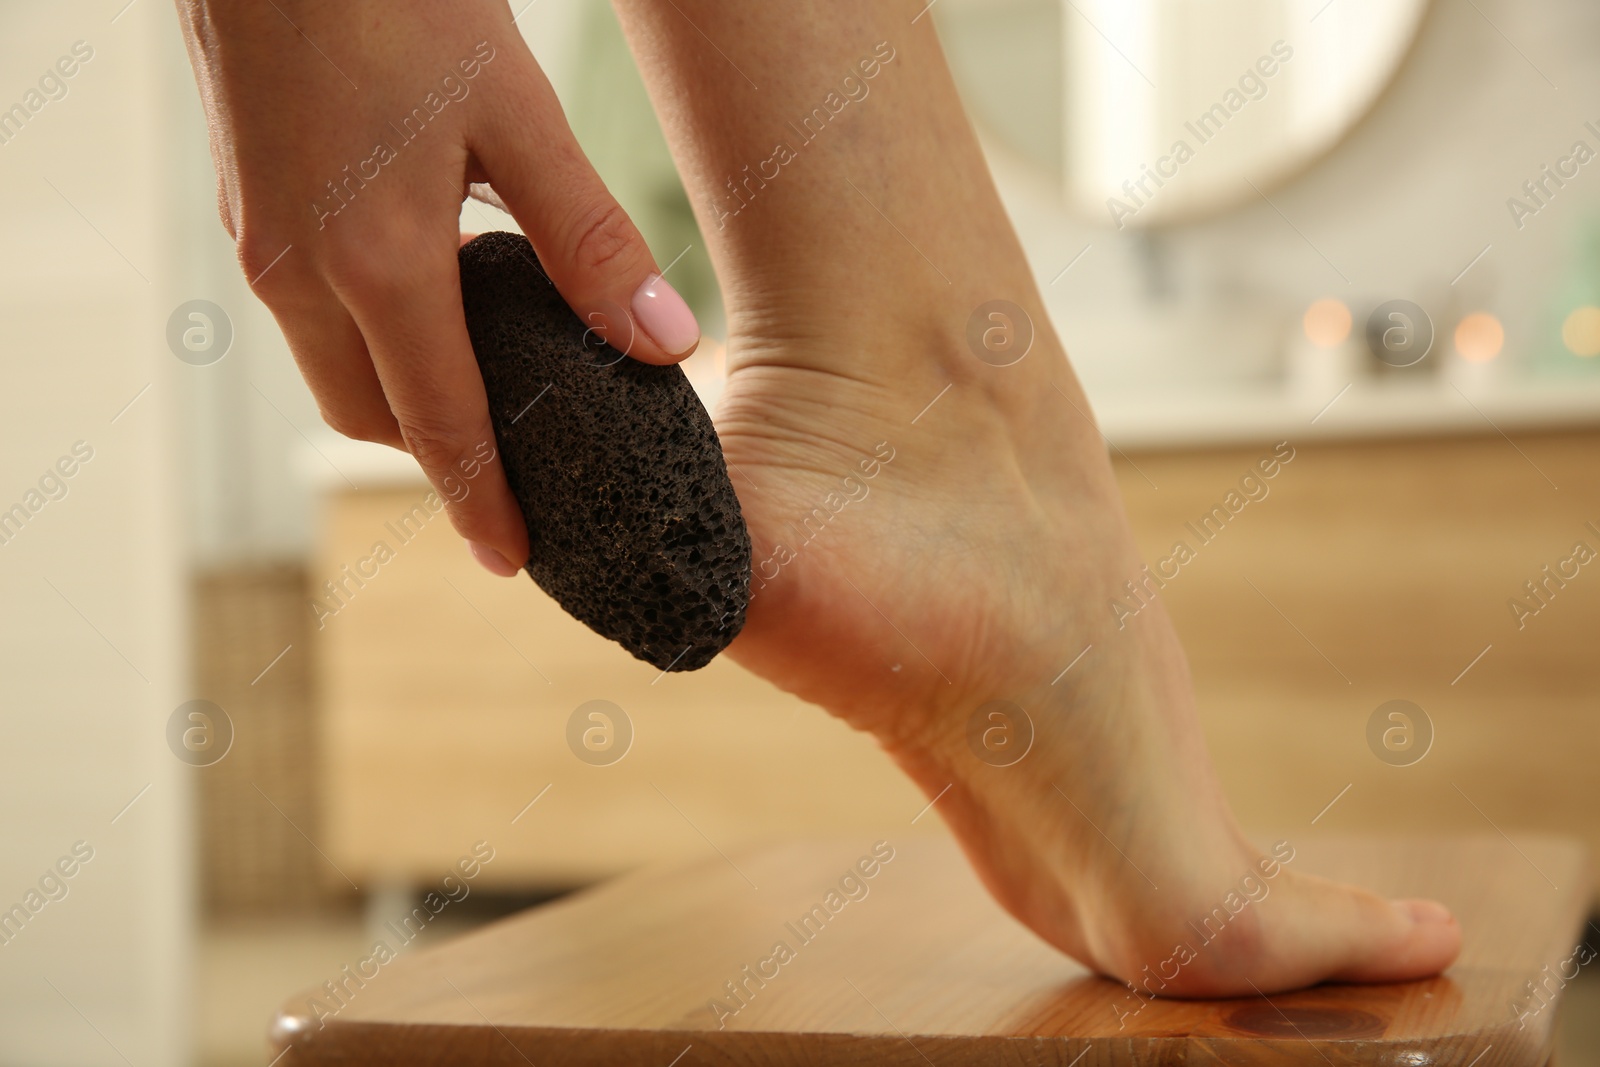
(90, 631)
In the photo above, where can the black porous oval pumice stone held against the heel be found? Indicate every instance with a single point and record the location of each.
(633, 522)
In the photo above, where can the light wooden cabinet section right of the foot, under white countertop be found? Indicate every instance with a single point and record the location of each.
(1380, 572)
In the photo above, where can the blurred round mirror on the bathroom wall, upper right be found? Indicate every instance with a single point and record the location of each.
(1169, 111)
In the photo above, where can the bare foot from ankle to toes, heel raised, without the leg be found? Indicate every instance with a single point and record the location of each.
(908, 575)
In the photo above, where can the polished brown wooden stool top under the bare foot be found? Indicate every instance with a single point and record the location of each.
(916, 965)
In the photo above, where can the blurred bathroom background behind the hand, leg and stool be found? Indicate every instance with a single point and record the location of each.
(1367, 228)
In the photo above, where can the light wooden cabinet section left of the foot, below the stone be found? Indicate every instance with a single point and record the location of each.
(447, 697)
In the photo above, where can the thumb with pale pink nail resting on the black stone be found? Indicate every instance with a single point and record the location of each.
(585, 239)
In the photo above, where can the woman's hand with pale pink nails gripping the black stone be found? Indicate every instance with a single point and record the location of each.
(346, 137)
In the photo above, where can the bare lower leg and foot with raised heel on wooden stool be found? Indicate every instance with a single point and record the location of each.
(978, 562)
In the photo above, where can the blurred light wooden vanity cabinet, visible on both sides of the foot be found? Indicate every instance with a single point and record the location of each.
(1369, 572)
